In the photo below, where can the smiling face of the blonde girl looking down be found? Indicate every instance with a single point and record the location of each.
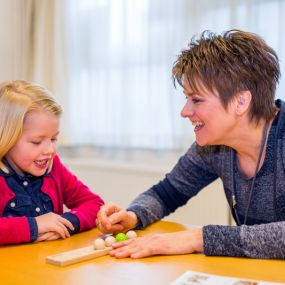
(36, 147)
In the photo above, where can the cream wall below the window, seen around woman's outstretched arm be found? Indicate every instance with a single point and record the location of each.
(121, 182)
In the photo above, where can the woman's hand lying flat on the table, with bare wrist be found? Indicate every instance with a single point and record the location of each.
(160, 244)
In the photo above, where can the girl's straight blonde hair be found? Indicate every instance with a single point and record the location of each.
(17, 99)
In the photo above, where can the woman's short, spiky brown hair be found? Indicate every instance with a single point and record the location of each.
(229, 63)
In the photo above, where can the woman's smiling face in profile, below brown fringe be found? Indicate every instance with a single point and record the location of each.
(214, 124)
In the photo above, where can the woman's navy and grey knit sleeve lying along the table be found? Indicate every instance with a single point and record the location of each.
(257, 241)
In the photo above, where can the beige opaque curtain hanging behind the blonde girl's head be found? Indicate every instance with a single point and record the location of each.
(33, 46)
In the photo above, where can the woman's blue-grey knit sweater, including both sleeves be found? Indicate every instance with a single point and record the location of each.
(264, 234)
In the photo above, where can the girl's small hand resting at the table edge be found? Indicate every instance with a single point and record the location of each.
(52, 222)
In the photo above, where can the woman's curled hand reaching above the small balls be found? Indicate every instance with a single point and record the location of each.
(114, 219)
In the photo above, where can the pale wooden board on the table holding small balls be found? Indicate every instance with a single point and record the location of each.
(76, 255)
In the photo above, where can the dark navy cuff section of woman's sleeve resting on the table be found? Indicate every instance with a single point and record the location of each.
(222, 241)
